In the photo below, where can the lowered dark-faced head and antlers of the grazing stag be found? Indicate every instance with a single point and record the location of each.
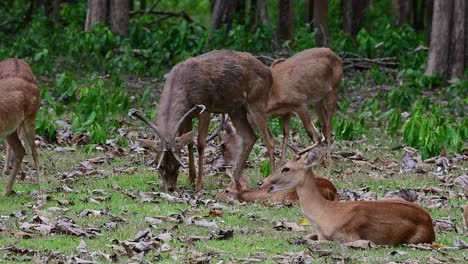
(167, 148)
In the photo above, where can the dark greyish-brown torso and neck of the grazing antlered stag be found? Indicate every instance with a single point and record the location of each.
(222, 80)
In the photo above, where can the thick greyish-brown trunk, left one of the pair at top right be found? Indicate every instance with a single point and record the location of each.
(440, 38)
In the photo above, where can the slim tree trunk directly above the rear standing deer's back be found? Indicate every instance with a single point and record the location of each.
(321, 23)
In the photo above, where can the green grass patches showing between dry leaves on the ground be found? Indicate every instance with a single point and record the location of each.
(256, 239)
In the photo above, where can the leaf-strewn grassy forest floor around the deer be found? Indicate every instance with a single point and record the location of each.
(106, 206)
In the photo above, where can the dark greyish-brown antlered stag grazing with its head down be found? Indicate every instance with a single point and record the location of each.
(221, 81)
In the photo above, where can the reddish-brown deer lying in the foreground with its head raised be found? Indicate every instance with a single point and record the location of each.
(384, 222)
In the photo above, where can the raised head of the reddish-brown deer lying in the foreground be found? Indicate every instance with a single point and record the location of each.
(293, 173)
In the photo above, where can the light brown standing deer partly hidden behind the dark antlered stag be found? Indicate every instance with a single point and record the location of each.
(312, 77)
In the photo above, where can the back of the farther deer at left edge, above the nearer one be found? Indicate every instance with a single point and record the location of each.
(16, 68)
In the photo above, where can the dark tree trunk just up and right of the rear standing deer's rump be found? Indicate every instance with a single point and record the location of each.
(352, 12)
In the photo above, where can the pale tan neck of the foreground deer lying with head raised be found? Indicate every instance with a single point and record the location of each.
(313, 204)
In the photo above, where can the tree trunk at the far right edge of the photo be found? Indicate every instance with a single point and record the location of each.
(457, 45)
